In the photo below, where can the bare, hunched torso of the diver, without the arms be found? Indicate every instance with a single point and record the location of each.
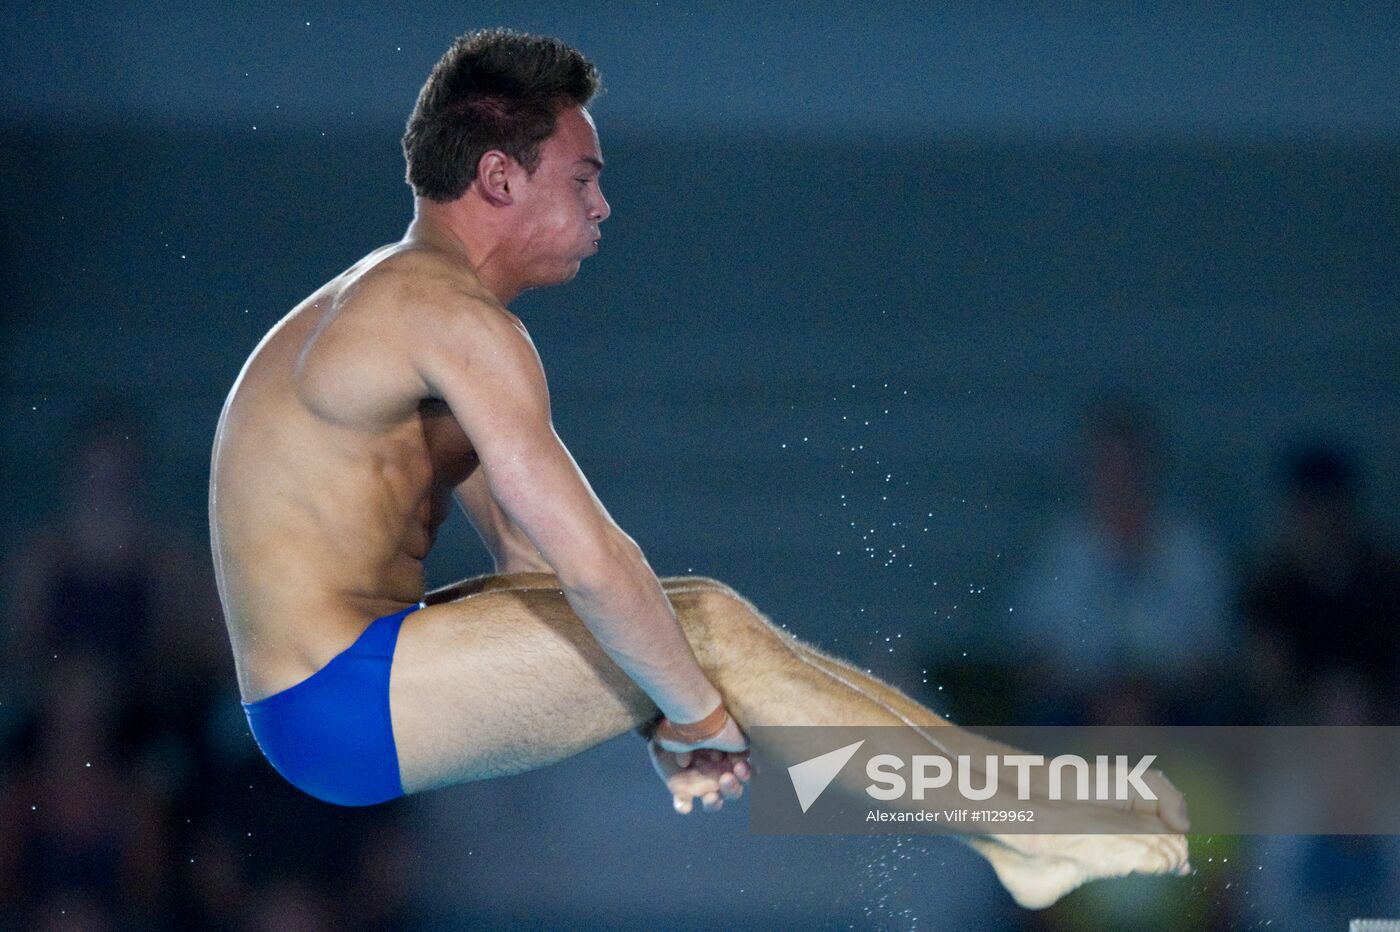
(332, 469)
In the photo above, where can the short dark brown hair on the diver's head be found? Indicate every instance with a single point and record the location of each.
(495, 89)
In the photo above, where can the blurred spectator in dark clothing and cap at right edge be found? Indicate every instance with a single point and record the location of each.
(1325, 602)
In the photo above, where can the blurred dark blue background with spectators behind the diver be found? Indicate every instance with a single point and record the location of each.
(1044, 363)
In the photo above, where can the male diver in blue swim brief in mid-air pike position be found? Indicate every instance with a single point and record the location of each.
(404, 383)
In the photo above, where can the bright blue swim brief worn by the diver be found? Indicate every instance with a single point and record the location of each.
(331, 735)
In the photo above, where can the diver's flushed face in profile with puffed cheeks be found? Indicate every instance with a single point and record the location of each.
(562, 202)
